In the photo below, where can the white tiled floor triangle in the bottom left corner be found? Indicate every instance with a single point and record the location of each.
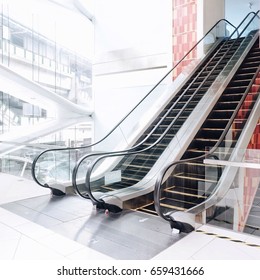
(22, 239)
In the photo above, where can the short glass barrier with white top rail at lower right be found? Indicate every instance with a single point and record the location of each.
(237, 207)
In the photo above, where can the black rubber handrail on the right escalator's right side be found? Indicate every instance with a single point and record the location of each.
(160, 178)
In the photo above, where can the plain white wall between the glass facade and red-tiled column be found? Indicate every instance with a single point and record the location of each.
(132, 52)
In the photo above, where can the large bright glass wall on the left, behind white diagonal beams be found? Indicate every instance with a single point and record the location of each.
(49, 43)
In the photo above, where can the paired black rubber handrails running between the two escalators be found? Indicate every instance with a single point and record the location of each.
(129, 152)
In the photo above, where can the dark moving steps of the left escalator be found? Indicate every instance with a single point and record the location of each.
(170, 120)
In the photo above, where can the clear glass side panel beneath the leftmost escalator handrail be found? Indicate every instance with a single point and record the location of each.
(127, 131)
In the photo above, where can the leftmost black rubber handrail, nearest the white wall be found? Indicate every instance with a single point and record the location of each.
(33, 171)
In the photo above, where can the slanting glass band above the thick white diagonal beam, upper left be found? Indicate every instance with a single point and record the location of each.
(44, 61)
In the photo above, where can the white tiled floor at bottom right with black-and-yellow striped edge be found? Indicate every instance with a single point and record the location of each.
(222, 245)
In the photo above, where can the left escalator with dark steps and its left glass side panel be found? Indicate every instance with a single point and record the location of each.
(135, 124)
